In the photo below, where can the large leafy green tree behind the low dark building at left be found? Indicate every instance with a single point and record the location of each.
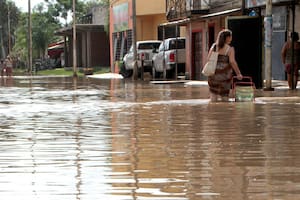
(46, 19)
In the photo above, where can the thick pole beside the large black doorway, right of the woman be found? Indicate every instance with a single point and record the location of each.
(268, 45)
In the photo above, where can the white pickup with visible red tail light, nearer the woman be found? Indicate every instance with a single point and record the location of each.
(171, 55)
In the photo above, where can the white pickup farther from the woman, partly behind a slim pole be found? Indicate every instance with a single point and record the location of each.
(145, 50)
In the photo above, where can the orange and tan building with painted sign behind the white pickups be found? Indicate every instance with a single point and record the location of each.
(149, 16)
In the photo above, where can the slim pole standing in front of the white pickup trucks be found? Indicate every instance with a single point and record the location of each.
(135, 67)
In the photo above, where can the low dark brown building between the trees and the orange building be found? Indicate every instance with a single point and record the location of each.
(92, 40)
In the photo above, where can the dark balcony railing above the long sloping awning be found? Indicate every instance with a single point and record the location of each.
(178, 9)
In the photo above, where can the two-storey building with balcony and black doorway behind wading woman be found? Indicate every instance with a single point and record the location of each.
(204, 19)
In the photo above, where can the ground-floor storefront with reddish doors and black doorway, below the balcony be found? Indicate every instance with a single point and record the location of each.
(201, 32)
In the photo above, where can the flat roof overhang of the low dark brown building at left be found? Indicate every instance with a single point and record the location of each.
(80, 28)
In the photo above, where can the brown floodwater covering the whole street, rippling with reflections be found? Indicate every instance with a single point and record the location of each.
(91, 139)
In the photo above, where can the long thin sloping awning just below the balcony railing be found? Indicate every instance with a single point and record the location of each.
(184, 22)
